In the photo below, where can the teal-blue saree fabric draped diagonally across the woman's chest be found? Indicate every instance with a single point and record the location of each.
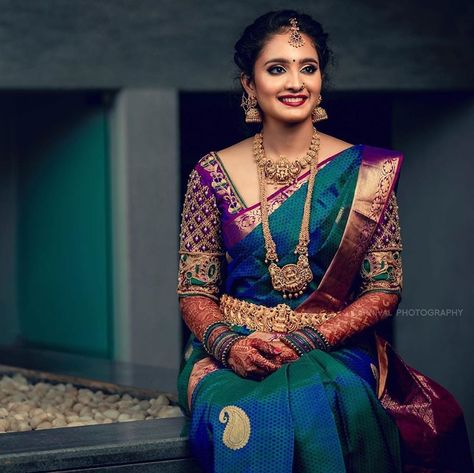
(247, 274)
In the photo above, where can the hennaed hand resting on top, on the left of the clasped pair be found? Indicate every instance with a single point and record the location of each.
(249, 358)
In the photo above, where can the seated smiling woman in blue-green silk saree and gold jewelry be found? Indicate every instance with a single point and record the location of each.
(290, 255)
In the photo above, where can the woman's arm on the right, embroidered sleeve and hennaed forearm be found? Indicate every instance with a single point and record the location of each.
(380, 284)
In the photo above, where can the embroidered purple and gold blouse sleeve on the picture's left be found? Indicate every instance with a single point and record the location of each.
(200, 250)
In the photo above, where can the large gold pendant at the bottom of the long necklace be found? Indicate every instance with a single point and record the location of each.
(291, 279)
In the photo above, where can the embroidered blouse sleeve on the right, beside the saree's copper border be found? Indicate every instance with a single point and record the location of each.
(381, 269)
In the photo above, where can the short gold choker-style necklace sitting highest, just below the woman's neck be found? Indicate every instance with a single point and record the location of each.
(282, 171)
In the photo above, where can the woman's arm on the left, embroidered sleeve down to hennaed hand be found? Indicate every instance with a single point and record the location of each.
(199, 280)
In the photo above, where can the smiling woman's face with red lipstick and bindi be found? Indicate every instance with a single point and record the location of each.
(279, 73)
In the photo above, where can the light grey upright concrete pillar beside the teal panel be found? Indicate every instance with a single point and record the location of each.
(144, 164)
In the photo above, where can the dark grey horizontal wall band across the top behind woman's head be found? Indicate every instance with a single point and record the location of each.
(188, 45)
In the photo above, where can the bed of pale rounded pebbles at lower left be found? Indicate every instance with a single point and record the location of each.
(28, 406)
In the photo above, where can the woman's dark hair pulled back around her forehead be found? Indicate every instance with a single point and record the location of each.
(255, 36)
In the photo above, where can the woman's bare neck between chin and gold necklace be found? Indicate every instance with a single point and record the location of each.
(290, 140)
